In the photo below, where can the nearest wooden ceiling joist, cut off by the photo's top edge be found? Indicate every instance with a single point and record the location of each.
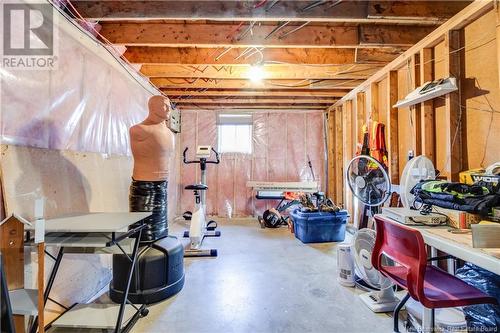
(398, 12)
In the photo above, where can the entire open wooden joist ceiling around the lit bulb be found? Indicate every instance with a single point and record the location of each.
(199, 52)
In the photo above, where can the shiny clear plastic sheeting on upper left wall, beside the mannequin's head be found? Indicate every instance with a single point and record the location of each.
(86, 104)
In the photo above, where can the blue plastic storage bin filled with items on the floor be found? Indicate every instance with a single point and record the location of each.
(319, 227)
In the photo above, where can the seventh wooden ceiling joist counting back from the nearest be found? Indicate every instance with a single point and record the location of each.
(268, 101)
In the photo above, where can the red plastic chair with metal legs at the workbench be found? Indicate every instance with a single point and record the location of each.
(429, 285)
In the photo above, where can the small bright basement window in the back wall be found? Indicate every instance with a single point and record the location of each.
(234, 133)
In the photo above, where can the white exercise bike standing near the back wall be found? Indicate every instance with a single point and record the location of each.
(199, 228)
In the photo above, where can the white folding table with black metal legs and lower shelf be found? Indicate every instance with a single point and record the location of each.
(96, 233)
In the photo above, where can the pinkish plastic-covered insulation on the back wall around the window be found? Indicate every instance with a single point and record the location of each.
(282, 141)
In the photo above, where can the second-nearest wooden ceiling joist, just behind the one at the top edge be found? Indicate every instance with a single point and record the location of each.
(225, 35)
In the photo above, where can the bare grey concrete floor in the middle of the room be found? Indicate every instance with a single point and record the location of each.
(264, 280)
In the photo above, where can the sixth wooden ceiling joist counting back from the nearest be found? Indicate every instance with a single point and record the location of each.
(175, 93)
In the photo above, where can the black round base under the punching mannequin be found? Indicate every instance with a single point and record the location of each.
(158, 273)
